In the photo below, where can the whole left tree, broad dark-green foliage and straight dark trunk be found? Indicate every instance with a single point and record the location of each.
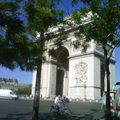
(17, 47)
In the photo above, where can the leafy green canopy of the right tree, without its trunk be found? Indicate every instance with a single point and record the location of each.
(105, 21)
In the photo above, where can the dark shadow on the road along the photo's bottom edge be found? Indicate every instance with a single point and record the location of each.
(52, 116)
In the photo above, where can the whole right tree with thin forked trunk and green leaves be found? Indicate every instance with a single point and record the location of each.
(103, 27)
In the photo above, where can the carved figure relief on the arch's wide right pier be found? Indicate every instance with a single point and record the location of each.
(81, 72)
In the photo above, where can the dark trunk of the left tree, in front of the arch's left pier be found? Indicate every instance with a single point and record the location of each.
(41, 43)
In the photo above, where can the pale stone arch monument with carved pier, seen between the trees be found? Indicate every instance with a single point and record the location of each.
(75, 73)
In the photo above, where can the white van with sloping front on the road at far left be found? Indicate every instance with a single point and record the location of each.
(7, 94)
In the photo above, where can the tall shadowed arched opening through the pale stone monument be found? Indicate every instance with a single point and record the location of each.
(62, 71)
